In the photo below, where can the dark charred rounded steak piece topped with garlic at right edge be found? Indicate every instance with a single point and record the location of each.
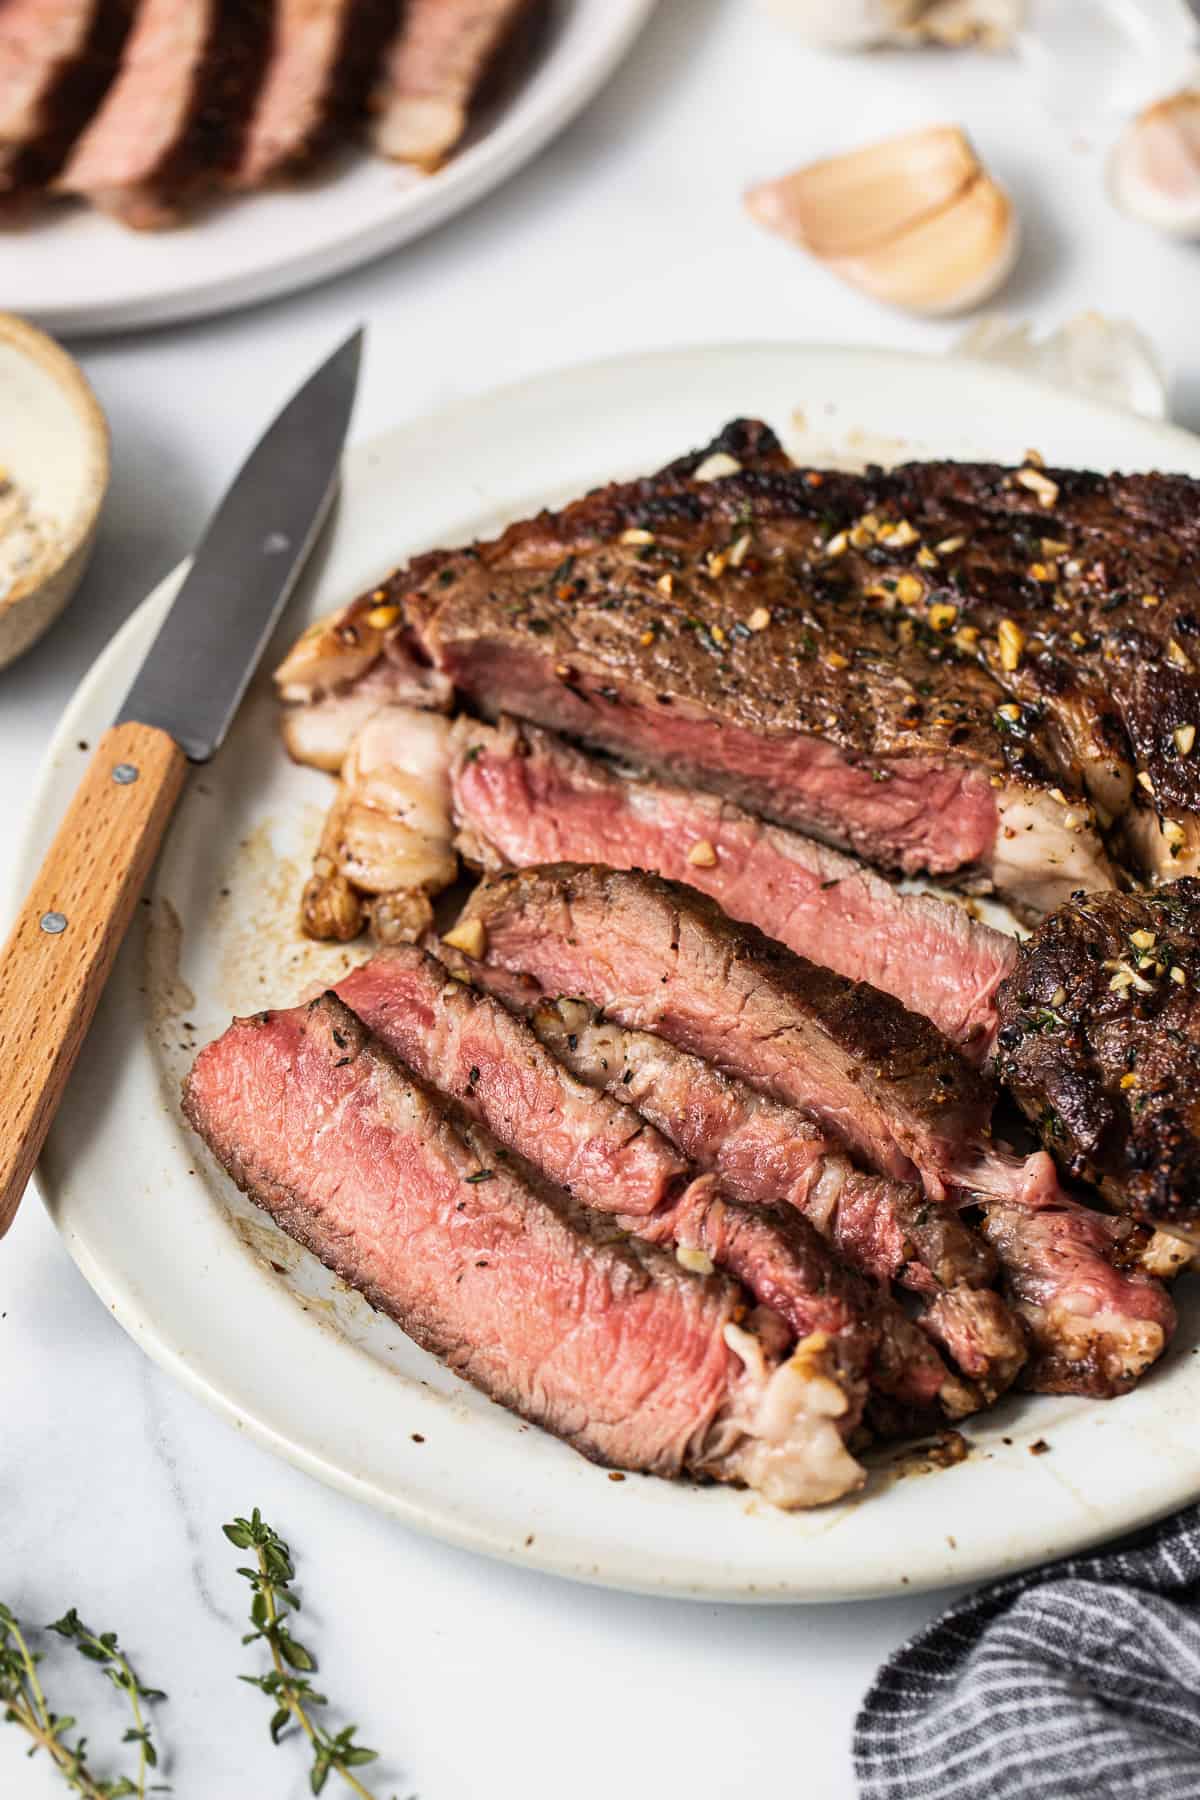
(1100, 1043)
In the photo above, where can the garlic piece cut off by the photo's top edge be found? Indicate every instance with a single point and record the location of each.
(868, 24)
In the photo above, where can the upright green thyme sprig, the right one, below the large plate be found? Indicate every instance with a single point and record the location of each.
(287, 1682)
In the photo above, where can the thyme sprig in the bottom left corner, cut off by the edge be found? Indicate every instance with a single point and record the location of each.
(24, 1704)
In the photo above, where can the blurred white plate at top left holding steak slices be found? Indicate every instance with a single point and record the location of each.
(76, 271)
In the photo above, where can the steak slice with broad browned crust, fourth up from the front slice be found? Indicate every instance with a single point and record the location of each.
(665, 958)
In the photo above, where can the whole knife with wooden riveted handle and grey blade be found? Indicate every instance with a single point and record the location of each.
(183, 703)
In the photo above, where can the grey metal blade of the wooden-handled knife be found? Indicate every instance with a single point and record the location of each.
(249, 561)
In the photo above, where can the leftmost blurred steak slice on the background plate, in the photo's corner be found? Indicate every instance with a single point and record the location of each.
(57, 58)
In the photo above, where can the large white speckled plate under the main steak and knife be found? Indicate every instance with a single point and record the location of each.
(253, 1326)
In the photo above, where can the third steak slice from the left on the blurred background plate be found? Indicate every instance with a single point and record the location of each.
(319, 73)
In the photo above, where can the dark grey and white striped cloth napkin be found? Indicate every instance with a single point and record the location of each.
(1075, 1682)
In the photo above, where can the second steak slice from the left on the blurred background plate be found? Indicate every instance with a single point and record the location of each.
(175, 120)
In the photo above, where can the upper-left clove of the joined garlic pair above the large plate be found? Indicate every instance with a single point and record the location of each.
(846, 204)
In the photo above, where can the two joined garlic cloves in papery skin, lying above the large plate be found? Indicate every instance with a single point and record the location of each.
(915, 220)
